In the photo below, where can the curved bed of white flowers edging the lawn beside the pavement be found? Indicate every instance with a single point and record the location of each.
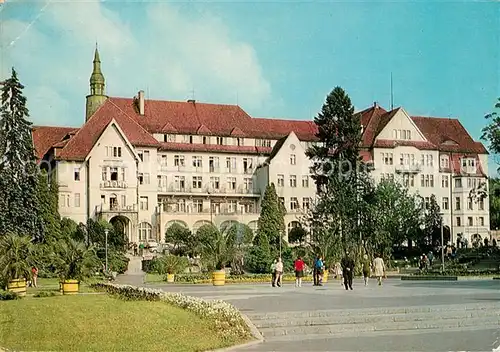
(227, 318)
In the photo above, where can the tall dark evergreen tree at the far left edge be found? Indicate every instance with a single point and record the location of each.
(18, 169)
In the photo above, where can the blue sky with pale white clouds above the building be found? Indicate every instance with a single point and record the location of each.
(273, 58)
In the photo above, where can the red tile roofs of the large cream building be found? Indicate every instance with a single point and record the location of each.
(230, 120)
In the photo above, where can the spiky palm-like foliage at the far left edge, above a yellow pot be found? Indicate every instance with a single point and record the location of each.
(16, 256)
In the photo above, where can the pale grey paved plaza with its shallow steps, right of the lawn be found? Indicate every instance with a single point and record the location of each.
(398, 316)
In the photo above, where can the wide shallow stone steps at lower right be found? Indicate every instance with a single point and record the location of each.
(382, 321)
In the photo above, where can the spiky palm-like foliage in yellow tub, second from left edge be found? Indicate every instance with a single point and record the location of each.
(74, 261)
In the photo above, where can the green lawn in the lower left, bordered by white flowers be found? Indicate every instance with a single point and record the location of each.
(102, 323)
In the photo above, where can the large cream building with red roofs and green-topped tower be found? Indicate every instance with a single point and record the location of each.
(151, 163)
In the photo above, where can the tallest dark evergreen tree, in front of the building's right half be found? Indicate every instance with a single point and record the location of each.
(342, 185)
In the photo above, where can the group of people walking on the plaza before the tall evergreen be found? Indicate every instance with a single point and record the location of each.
(344, 269)
